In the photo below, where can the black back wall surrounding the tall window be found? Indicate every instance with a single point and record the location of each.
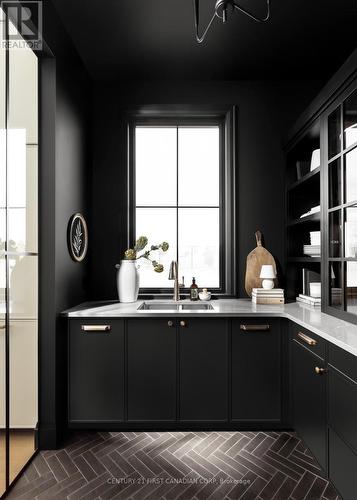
(265, 111)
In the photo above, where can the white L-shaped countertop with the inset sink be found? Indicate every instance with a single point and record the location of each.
(334, 330)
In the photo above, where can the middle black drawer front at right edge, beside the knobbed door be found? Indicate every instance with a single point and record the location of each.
(343, 406)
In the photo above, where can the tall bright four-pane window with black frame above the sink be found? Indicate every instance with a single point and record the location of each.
(177, 197)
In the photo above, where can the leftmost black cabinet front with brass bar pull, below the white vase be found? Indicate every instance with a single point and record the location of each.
(96, 371)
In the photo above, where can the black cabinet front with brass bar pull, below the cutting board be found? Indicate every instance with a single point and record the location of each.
(256, 370)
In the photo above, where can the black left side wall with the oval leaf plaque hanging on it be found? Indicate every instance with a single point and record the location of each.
(65, 169)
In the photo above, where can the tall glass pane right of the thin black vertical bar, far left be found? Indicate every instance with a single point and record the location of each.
(22, 202)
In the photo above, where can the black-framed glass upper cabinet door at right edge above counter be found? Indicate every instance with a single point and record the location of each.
(341, 173)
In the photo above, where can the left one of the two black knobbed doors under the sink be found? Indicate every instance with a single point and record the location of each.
(151, 370)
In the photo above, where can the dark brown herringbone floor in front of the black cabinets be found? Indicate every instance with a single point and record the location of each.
(170, 465)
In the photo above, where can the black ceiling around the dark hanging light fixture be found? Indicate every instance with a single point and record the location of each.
(154, 39)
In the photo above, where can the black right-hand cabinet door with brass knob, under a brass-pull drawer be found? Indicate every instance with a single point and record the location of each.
(309, 396)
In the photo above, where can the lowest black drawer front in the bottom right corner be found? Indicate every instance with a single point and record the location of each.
(342, 467)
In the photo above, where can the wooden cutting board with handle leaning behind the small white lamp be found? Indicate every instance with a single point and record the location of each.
(255, 260)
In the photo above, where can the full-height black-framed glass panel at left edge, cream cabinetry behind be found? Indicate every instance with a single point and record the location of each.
(18, 257)
